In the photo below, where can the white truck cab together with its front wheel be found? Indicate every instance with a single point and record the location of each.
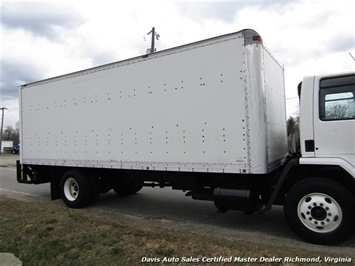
(320, 204)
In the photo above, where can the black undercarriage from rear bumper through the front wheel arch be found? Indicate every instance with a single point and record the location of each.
(244, 192)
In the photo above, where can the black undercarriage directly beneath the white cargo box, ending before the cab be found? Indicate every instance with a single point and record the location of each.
(245, 192)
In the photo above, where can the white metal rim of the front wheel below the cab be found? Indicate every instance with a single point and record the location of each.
(319, 212)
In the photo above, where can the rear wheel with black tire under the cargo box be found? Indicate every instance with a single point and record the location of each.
(75, 189)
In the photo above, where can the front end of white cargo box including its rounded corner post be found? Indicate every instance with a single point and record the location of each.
(266, 112)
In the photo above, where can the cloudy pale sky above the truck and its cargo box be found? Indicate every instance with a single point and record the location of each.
(44, 39)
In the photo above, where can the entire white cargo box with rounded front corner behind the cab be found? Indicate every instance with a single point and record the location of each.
(217, 105)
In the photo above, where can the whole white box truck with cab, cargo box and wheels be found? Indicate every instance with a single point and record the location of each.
(207, 118)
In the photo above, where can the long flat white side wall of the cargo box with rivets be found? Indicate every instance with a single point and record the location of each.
(183, 111)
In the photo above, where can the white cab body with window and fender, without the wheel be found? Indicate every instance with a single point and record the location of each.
(327, 121)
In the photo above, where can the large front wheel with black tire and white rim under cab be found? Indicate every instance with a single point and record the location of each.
(320, 211)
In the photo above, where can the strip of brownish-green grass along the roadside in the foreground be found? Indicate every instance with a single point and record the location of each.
(49, 234)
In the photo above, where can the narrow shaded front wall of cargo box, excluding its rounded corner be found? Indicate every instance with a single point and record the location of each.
(275, 111)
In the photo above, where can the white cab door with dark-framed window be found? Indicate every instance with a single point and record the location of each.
(334, 123)
